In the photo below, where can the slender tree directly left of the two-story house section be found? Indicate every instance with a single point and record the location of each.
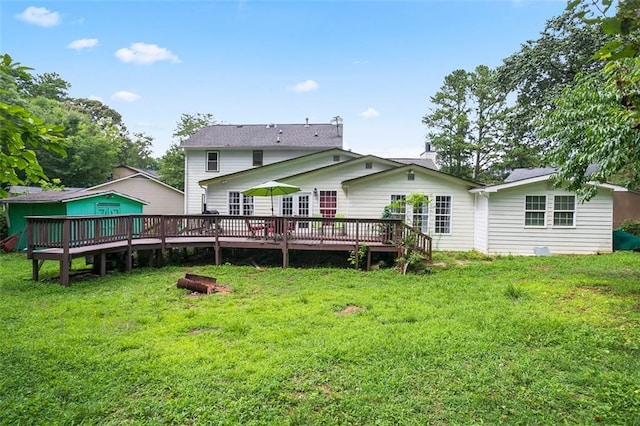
(171, 164)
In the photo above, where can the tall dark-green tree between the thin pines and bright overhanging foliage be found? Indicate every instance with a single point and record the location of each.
(538, 73)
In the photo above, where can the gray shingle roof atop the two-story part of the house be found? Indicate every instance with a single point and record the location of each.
(322, 136)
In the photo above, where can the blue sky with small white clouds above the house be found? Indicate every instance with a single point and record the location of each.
(376, 64)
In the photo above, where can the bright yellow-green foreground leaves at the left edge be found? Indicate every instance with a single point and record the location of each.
(21, 133)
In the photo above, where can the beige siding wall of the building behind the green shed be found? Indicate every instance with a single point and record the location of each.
(162, 200)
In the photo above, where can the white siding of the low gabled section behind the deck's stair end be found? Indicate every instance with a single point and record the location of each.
(368, 199)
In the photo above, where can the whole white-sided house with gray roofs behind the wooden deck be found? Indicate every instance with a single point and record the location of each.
(524, 215)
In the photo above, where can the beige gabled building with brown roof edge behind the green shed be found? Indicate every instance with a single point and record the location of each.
(159, 197)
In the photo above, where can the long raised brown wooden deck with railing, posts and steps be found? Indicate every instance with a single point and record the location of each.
(63, 238)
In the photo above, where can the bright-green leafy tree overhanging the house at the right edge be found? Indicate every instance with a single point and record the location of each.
(597, 121)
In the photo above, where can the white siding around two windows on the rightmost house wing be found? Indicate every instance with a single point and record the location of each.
(508, 235)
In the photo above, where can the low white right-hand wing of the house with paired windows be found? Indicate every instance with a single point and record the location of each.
(526, 214)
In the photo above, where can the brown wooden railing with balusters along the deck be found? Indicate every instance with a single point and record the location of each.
(79, 231)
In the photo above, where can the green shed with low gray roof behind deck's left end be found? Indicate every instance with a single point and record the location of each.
(54, 203)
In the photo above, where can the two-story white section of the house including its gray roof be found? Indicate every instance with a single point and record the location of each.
(225, 149)
